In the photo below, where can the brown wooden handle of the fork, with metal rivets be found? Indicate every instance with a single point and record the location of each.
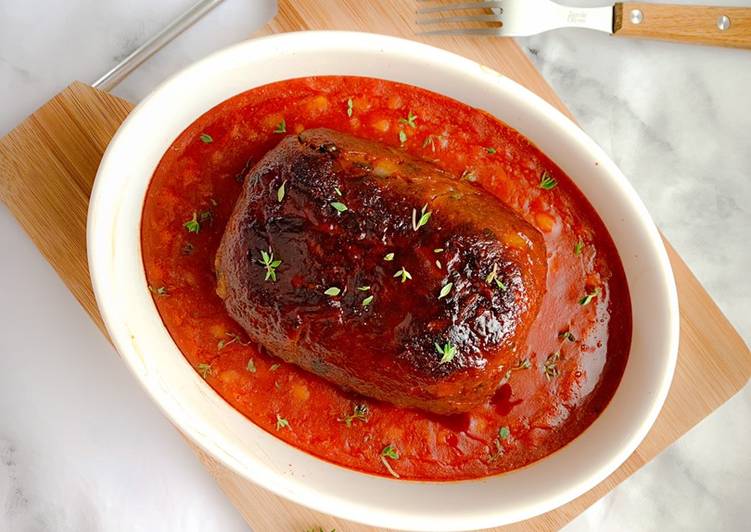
(716, 26)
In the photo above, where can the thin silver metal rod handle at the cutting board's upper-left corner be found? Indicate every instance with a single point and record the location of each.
(153, 45)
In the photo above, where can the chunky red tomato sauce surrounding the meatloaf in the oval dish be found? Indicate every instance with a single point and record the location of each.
(577, 348)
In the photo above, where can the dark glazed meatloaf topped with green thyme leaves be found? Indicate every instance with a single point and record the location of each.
(380, 272)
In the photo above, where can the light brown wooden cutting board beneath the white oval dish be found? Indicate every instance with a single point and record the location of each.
(48, 164)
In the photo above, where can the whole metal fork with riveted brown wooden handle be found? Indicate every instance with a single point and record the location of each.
(717, 26)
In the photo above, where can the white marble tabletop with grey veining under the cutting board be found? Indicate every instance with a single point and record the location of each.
(83, 449)
